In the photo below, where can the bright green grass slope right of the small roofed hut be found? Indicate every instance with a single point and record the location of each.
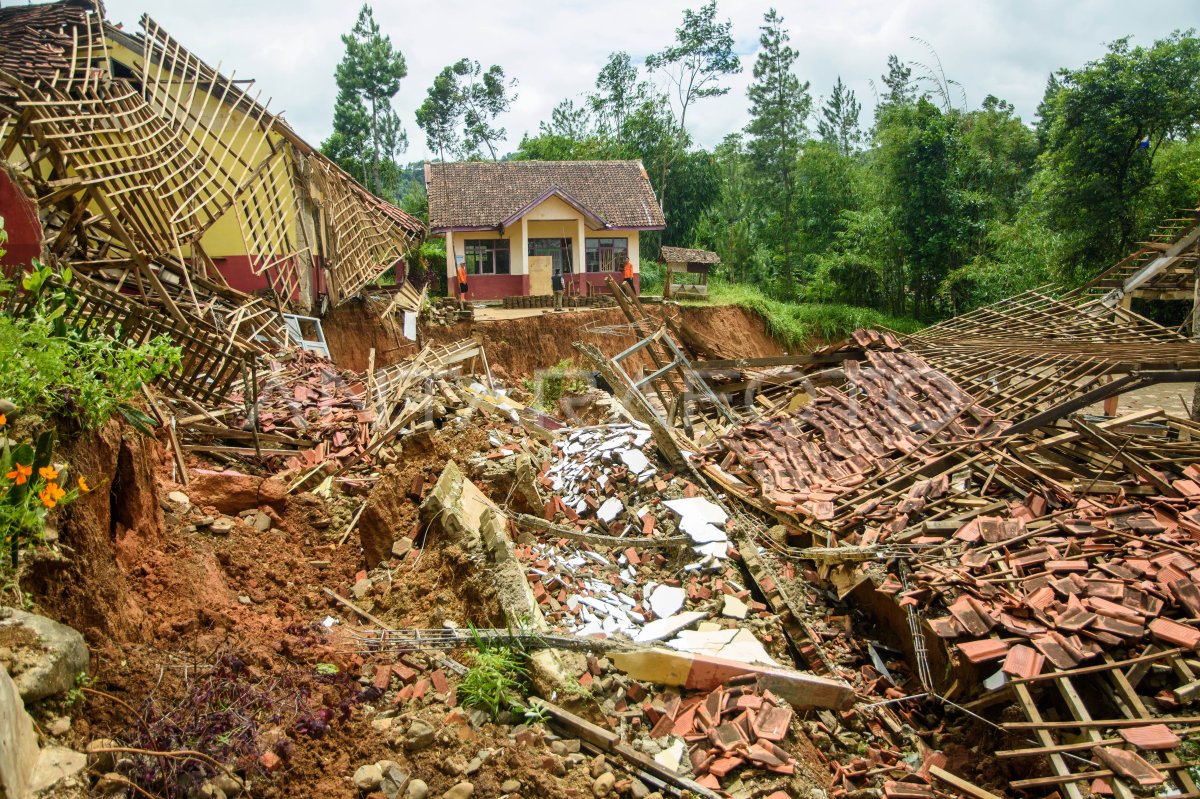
(805, 325)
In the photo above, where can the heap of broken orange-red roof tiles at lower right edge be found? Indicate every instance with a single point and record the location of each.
(1101, 580)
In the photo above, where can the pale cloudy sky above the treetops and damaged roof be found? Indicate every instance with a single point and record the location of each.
(556, 49)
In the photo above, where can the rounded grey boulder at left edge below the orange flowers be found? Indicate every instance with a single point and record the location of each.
(62, 660)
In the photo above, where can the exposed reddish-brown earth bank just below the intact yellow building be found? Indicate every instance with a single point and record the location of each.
(521, 347)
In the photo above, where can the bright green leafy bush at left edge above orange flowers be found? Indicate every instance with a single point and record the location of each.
(57, 369)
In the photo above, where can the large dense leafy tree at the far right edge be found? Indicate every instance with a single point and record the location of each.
(1105, 125)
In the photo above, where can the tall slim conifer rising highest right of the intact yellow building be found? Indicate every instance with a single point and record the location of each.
(779, 105)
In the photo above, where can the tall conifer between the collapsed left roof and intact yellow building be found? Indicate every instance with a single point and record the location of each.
(364, 121)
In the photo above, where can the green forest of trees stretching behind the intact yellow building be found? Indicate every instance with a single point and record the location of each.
(928, 209)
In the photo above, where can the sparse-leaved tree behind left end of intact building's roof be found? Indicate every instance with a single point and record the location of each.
(466, 98)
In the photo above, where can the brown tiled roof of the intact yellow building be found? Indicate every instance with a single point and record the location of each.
(485, 194)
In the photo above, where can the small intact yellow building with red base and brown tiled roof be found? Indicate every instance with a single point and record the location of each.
(518, 225)
